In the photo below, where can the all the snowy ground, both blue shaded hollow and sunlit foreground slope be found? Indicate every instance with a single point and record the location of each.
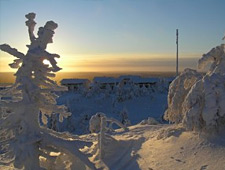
(143, 147)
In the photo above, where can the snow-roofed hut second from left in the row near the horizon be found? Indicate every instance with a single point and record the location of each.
(103, 82)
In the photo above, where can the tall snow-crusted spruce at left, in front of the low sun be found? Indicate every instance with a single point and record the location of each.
(23, 142)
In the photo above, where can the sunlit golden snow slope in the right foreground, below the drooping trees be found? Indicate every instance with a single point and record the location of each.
(159, 147)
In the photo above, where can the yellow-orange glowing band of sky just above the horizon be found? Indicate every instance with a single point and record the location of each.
(114, 62)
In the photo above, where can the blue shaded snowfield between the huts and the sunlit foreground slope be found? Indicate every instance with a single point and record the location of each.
(82, 108)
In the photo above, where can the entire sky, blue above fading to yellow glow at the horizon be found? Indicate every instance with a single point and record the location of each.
(117, 35)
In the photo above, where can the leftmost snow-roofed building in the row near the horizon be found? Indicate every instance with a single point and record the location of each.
(75, 84)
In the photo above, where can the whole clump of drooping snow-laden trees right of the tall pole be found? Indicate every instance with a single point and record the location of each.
(201, 106)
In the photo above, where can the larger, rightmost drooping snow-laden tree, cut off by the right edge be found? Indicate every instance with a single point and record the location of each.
(204, 106)
